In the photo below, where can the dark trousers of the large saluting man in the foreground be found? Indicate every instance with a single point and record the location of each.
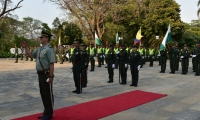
(45, 95)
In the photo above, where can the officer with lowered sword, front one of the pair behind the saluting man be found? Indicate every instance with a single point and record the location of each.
(77, 68)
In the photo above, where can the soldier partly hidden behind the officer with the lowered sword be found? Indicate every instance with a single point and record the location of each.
(85, 62)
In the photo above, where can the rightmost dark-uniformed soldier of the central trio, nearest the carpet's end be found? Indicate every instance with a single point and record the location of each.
(135, 63)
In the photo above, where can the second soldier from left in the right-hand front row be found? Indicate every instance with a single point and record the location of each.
(173, 56)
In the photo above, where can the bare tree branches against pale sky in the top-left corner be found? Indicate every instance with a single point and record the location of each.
(6, 7)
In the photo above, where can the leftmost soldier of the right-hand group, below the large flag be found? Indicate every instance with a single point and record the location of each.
(163, 60)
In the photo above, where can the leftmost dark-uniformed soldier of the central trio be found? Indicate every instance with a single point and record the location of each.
(111, 58)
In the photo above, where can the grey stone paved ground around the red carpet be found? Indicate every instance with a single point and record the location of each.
(19, 93)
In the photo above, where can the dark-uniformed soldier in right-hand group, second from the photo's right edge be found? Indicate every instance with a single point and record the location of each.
(185, 54)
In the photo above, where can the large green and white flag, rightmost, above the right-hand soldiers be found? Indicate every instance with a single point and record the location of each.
(167, 38)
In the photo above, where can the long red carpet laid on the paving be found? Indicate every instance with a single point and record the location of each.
(97, 109)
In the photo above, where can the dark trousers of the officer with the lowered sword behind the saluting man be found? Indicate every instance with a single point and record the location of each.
(77, 76)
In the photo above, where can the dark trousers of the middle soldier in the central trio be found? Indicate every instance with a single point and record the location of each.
(123, 72)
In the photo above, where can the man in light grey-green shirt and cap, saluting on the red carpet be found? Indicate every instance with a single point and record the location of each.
(45, 68)
